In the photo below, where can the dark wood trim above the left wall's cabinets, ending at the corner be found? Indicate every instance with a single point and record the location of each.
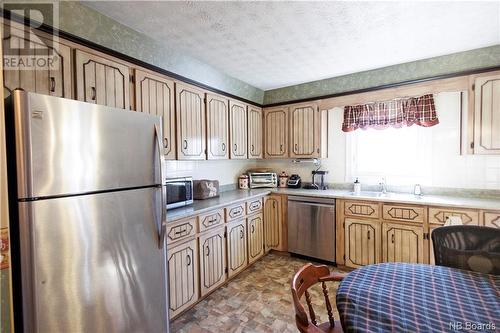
(78, 40)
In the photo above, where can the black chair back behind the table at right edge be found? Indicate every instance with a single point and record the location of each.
(467, 247)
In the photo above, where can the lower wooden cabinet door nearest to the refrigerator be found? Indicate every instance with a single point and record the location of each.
(182, 276)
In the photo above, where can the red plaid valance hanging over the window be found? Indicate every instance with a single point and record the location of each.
(395, 113)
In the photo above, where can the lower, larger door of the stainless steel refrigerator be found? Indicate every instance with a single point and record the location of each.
(93, 264)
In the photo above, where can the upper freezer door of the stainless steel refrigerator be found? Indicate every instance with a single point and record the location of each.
(69, 147)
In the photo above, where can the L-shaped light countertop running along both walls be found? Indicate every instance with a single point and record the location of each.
(235, 196)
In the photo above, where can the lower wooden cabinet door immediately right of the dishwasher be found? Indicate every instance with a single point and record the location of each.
(362, 242)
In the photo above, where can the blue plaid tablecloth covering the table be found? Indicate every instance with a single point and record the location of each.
(399, 297)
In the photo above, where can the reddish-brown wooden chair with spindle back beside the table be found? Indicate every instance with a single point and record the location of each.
(306, 277)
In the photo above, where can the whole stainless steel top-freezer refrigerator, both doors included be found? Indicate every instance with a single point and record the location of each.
(91, 209)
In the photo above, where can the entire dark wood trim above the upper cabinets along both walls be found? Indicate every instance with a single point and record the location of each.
(78, 40)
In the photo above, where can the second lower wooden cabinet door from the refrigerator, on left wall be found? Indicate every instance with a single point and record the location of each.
(212, 260)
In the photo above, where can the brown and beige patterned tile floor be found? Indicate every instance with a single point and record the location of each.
(257, 300)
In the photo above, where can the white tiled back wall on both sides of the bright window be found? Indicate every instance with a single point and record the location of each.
(447, 167)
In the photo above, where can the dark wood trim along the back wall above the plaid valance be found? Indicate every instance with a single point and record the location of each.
(387, 86)
